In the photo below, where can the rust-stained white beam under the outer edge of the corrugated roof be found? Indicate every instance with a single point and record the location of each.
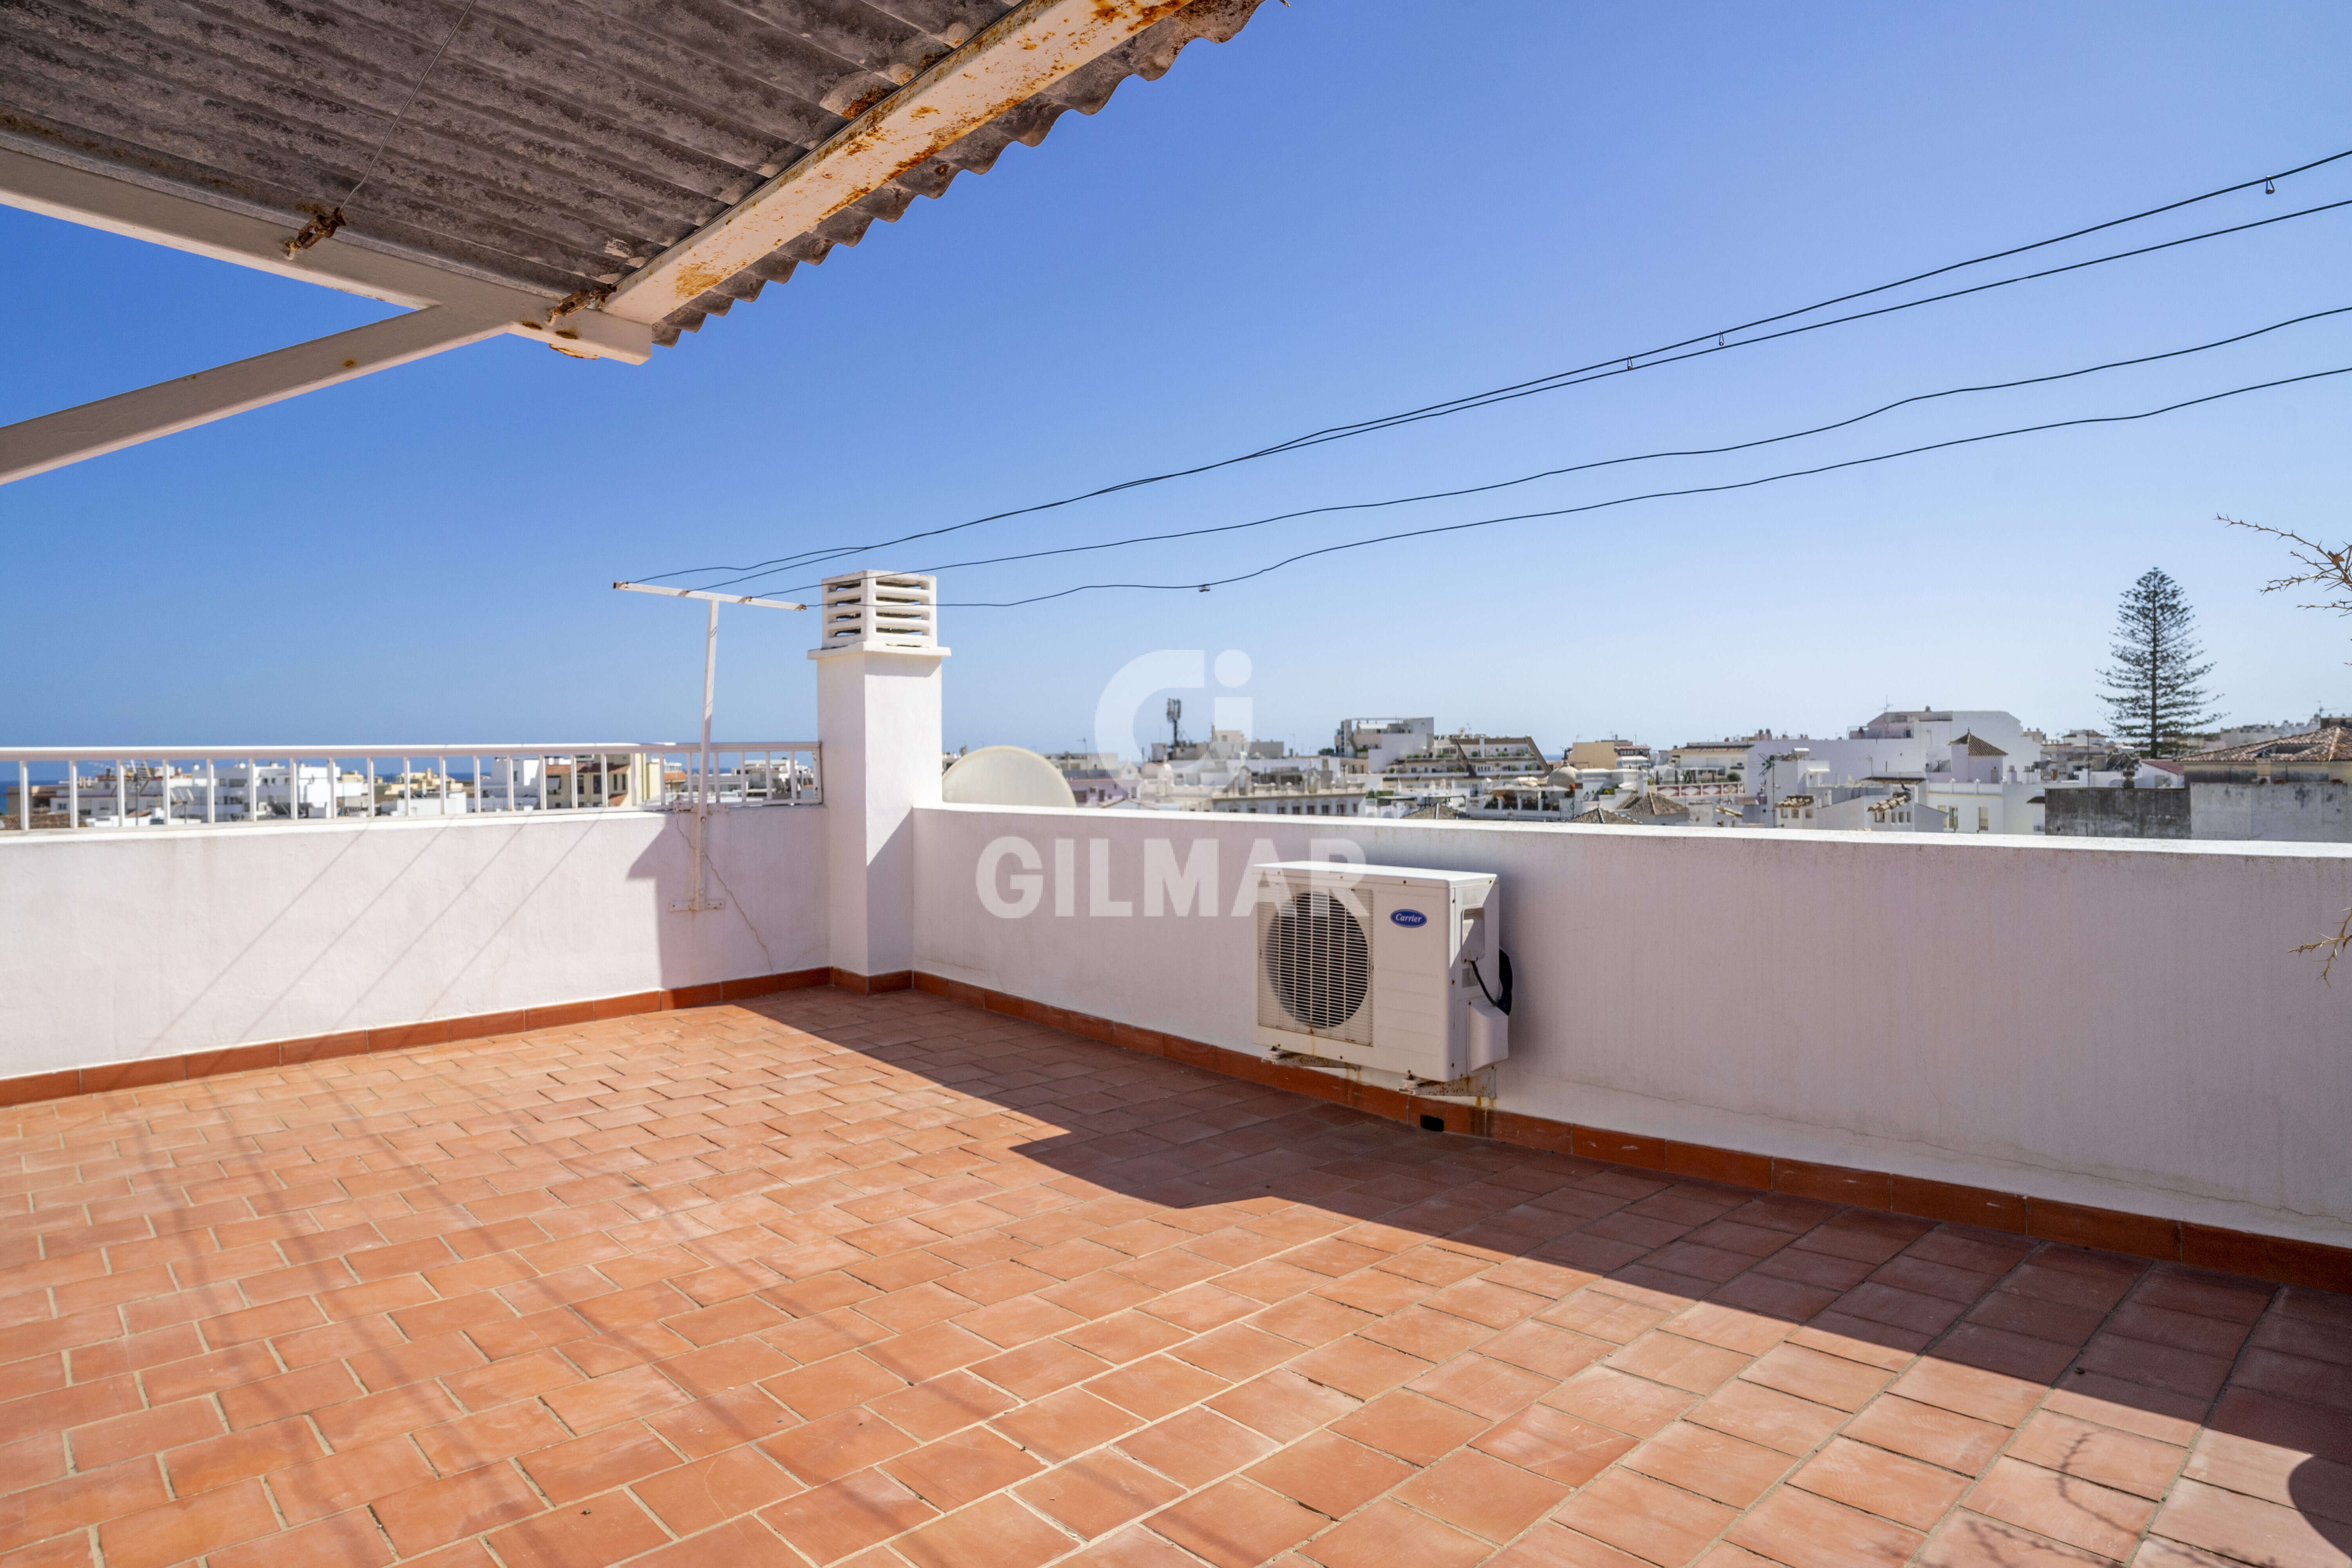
(1005, 65)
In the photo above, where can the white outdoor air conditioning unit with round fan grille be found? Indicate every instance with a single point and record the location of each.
(1382, 967)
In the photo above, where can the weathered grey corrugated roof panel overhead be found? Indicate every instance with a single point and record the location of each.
(549, 147)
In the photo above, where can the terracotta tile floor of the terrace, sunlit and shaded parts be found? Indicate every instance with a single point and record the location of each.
(893, 1282)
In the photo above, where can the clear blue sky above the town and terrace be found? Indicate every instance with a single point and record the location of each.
(1347, 210)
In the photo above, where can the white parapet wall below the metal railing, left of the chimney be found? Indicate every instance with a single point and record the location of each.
(161, 942)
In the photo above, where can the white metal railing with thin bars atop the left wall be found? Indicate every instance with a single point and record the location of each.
(229, 786)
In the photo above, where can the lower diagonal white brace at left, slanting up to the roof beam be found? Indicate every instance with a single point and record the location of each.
(69, 436)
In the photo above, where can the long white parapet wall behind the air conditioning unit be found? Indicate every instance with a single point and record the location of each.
(2090, 1021)
